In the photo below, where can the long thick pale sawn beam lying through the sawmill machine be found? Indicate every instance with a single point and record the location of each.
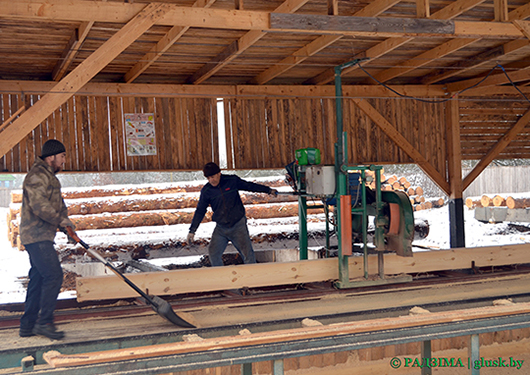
(268, 274)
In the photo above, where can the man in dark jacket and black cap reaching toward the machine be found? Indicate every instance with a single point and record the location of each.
(222, 194)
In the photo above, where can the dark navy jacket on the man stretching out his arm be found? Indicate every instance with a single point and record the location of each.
(225, 201)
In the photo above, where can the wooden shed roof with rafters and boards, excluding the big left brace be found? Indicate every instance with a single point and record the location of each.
(273, 42)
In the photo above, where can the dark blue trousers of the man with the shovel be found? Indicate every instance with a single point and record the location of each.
(45, 280)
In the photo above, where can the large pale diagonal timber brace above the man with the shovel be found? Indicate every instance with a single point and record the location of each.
(81, 75)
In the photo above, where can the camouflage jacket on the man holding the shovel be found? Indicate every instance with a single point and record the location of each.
(43, 207)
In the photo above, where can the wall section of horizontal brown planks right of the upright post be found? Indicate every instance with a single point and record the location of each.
(484, 122)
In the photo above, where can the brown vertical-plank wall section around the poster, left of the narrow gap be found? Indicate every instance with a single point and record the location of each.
(92, 129)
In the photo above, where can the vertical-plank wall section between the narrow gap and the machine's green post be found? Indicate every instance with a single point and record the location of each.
(266, 133)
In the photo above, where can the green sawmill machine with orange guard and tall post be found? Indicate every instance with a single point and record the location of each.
(354, 194)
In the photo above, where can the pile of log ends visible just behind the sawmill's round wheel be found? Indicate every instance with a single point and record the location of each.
(415, 194)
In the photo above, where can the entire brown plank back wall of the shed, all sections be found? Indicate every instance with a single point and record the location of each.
(260, 133)
